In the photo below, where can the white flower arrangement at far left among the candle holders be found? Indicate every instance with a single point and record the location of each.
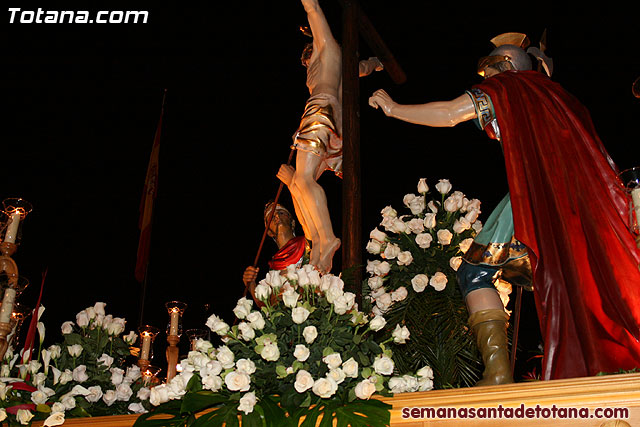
(84, 375)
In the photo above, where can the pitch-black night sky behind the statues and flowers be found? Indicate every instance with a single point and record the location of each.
(82, 103)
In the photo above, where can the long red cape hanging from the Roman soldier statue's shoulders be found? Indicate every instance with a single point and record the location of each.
(571, 211)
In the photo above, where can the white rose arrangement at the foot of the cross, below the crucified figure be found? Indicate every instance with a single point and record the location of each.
(308, 352)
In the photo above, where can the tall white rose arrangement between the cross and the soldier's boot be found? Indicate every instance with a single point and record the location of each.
(414, 284)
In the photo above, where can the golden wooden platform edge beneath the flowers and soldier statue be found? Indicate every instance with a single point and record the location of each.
(586, 394)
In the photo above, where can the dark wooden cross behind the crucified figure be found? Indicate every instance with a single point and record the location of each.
(356, 23)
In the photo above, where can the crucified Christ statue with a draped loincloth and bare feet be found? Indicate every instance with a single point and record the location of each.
(318, 140)
